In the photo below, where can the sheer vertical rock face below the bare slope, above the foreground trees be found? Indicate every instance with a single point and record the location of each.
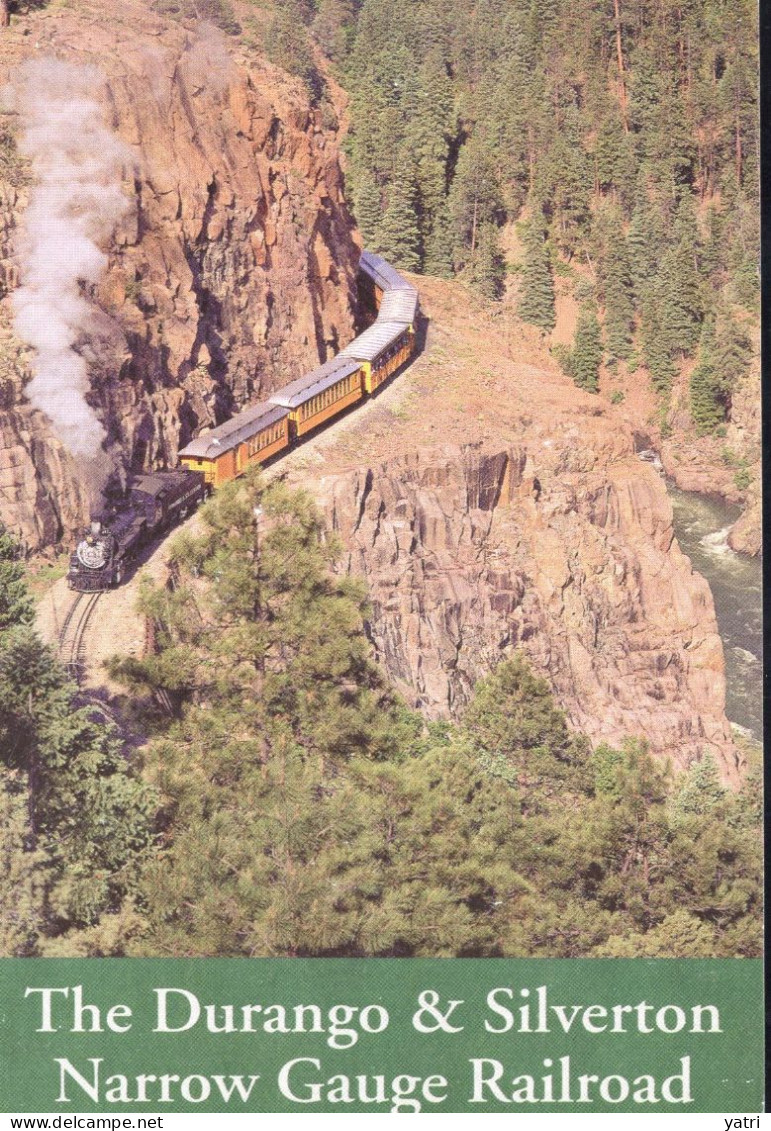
(472, 552)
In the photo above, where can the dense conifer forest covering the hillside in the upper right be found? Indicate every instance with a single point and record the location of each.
(634, 126)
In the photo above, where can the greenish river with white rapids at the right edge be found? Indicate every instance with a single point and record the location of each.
(703, 526)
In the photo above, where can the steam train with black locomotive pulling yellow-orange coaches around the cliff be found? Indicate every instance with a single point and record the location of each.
(158, 502)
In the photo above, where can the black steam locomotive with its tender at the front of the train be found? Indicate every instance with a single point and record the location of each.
(150, 505)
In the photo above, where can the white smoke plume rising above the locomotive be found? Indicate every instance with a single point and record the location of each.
(75, 205)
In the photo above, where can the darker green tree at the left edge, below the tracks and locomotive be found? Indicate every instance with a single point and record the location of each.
(77, 822)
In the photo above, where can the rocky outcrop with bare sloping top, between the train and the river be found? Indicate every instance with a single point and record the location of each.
(540, 530)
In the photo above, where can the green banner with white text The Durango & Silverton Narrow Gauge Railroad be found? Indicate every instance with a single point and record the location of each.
(317, 1035)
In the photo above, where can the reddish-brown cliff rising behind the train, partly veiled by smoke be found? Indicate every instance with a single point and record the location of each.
(231, 274)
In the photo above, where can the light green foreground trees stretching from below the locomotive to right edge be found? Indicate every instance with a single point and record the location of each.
(306, 811)
